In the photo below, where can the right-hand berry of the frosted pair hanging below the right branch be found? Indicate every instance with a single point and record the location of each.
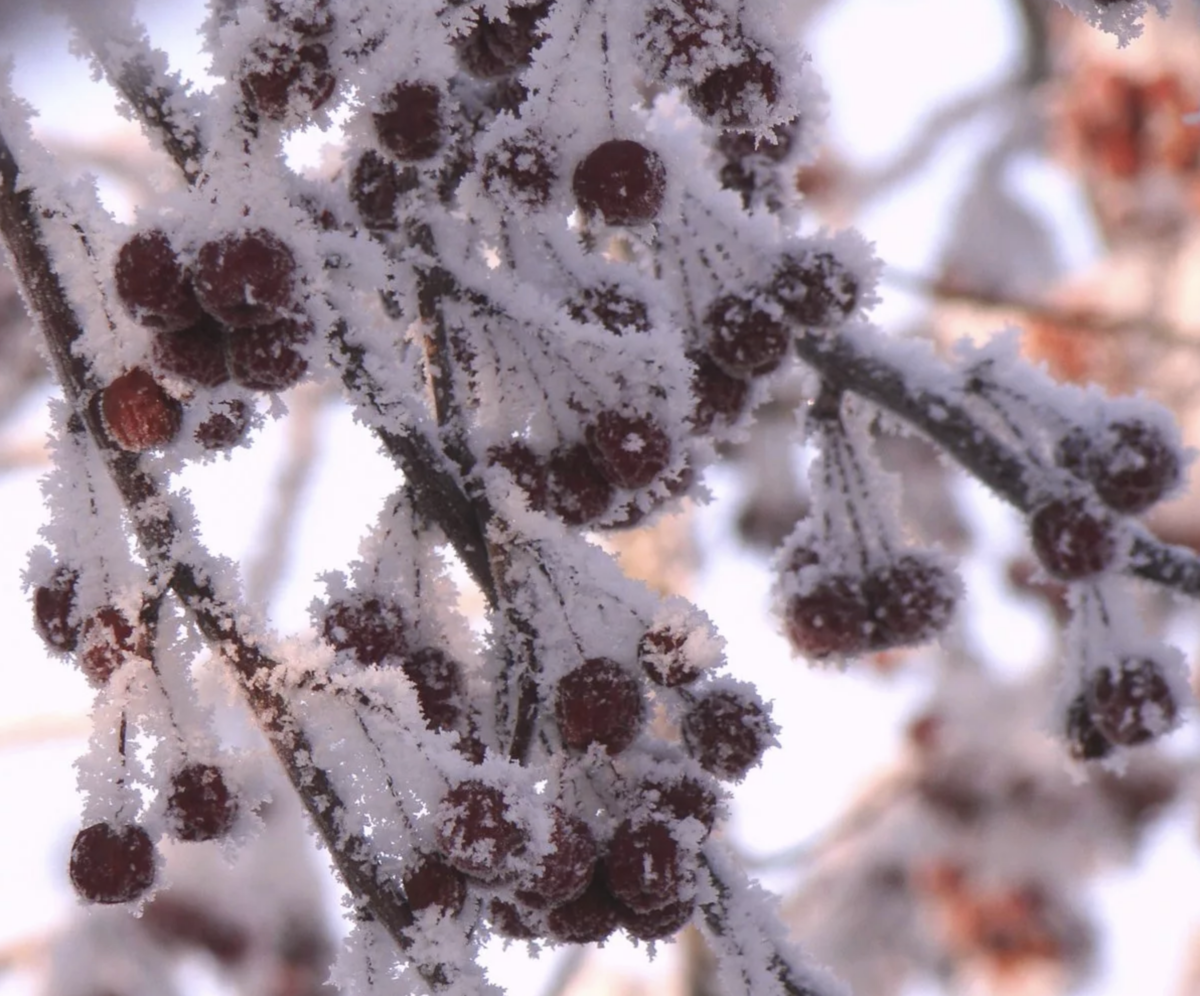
(910, 602)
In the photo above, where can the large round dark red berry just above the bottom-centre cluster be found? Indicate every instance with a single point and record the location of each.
(599, 703)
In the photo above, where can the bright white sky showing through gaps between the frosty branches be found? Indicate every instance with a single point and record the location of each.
(917, 52)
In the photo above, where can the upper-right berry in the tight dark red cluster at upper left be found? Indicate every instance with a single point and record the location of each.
(245, 279)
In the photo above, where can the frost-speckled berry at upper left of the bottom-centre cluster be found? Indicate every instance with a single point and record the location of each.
(476, 832)
